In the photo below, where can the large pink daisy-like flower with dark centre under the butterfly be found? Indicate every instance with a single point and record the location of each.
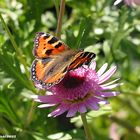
(81, 89)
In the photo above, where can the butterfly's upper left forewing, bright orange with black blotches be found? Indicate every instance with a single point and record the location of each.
(46, 45)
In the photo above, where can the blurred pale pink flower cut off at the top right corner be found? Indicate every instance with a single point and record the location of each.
(128, 2)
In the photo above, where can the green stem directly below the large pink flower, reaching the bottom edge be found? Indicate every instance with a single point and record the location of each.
(87, 132)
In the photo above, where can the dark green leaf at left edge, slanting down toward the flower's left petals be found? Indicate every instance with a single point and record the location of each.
(11, 67)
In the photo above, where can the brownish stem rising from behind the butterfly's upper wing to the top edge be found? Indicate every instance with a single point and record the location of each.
(61, 13)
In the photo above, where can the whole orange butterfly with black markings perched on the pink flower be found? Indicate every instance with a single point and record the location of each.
(54, 59)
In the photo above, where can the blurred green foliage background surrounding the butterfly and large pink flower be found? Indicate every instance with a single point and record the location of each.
(112, 32)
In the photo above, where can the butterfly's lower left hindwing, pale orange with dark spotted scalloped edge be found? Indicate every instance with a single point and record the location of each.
(49, 71)
